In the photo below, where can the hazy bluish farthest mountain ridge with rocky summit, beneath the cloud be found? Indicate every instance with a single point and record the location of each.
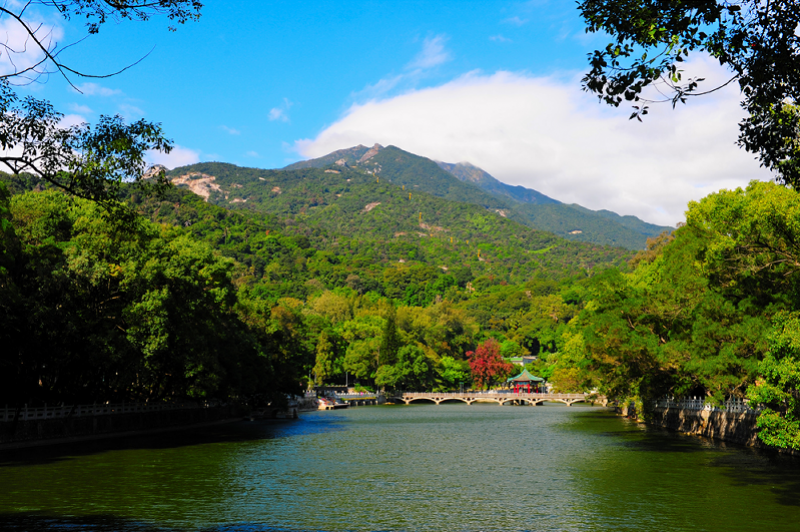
(524, 205)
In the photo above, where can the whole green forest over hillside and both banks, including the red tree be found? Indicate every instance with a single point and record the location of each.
(253, 300)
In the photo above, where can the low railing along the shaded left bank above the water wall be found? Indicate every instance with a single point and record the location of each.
(63, 411)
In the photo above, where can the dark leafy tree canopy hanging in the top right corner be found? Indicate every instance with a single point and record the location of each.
(757, 41)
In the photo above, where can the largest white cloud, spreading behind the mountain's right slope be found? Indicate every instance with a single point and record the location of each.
(546, 134)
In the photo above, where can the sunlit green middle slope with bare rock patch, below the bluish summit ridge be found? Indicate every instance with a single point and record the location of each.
(345, 210)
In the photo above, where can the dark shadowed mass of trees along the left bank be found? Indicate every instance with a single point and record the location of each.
(96, 311)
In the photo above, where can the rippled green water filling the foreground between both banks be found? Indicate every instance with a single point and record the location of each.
(405, 468)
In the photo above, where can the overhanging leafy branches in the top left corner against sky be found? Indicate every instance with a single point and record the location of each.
(88, 162)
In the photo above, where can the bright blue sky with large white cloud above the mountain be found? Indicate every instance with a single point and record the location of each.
(266, 83)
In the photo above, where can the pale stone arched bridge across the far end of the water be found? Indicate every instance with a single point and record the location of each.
(532, 399)
